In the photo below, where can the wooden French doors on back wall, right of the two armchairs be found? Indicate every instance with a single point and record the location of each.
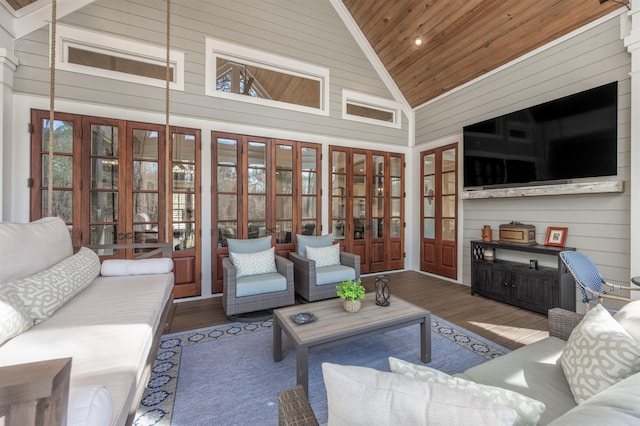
(367, 206)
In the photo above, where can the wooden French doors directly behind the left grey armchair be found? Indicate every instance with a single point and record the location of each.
(262, 187)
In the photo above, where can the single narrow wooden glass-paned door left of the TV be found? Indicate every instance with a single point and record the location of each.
(439, 207)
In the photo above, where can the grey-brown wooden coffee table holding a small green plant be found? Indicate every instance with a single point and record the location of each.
(334, 326)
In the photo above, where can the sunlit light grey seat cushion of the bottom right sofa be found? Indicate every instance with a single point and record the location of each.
(533, 370)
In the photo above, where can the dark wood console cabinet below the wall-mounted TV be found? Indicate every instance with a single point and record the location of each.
(516, 283)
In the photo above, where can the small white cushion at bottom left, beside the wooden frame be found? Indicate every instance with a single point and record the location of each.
(89, 405)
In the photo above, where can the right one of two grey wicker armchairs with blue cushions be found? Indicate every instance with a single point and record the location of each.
(319, 266)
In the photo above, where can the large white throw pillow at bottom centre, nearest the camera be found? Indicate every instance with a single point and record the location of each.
(364, 396)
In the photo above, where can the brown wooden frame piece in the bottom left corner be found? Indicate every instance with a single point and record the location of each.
(35, 393)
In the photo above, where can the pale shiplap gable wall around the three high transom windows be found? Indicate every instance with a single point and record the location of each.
(309, 31)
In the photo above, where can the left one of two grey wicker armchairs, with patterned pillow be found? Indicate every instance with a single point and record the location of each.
(254, 278)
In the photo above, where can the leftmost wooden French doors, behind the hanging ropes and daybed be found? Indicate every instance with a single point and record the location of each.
(114, 183)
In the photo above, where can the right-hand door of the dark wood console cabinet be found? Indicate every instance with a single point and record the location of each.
(534, 289)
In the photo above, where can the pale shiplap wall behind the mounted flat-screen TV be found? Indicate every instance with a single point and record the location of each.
(599, 224)
